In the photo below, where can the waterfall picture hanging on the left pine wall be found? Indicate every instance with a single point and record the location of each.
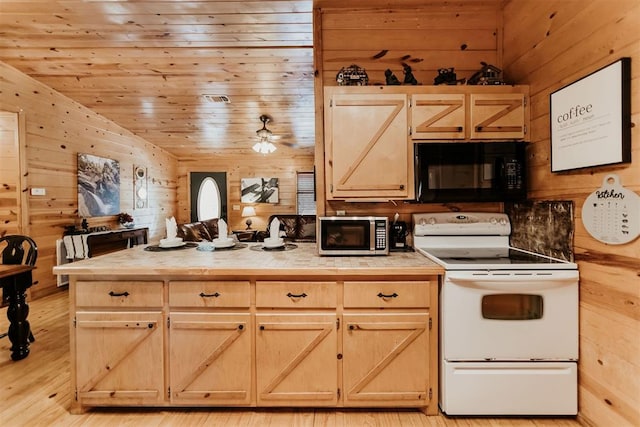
(98, 186)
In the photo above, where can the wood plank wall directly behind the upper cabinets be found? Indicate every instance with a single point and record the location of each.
(376, 36)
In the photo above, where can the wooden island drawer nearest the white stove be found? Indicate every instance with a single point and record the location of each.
(386, 294)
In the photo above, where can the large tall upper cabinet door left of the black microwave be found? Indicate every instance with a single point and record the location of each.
(366, 144)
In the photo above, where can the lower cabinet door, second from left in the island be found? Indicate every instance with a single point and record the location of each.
(210, 358)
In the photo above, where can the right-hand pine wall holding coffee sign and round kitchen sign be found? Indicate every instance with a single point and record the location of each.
(548, 45)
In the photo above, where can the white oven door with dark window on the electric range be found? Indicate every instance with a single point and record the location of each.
(510, 316)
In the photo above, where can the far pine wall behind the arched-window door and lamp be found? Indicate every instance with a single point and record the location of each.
(282, 164)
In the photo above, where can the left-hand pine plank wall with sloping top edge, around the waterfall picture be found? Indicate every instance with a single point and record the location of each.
(56, 129)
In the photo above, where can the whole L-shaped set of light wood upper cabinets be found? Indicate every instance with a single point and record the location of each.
(370, 131)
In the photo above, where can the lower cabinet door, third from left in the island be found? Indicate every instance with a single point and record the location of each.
(296, 359)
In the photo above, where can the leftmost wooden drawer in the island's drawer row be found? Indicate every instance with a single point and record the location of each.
(122, 294)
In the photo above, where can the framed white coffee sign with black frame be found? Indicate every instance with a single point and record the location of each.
(591, 119)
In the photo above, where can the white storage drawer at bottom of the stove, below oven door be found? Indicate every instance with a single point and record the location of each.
(501, 388)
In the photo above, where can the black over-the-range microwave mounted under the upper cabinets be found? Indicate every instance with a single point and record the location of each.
(491, 171)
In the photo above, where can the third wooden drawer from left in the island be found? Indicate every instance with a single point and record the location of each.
(296, 294)
